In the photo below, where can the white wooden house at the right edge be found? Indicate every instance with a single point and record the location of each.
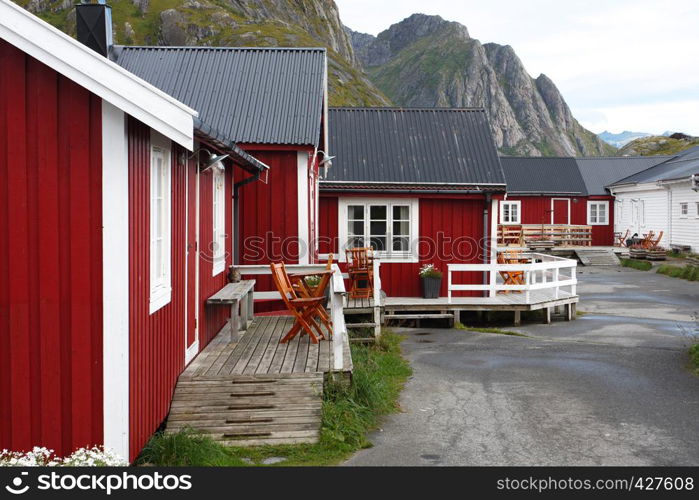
(662, 198)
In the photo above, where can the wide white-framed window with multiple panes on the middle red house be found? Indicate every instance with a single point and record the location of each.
(388, 225)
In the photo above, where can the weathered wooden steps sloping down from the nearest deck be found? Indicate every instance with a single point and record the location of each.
(250, 410)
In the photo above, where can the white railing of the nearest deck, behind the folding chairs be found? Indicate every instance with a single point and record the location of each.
(337, 300)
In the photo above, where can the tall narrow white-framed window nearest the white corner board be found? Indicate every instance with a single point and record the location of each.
(160, 222)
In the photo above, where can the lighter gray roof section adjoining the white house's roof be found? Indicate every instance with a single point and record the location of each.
(599, 172)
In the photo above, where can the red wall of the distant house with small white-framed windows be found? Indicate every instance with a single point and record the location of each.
(537, 210)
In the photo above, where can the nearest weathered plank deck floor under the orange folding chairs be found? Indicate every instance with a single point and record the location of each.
(259, 353)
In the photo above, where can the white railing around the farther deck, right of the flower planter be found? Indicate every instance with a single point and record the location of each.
(542, 272)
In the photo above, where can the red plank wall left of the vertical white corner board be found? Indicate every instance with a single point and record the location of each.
(50, 258)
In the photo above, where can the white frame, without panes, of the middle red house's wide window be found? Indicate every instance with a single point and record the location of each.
(389, 255)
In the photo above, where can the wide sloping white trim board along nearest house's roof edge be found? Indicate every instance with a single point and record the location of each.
(97, 74)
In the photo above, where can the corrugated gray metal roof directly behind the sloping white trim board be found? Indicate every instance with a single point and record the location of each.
(245, 95)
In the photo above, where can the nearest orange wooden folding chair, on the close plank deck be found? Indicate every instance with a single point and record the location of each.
(302, 308)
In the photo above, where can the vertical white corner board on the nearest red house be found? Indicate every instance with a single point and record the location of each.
(115, 282)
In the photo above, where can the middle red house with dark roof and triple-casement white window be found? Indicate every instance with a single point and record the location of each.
(416, 184)
